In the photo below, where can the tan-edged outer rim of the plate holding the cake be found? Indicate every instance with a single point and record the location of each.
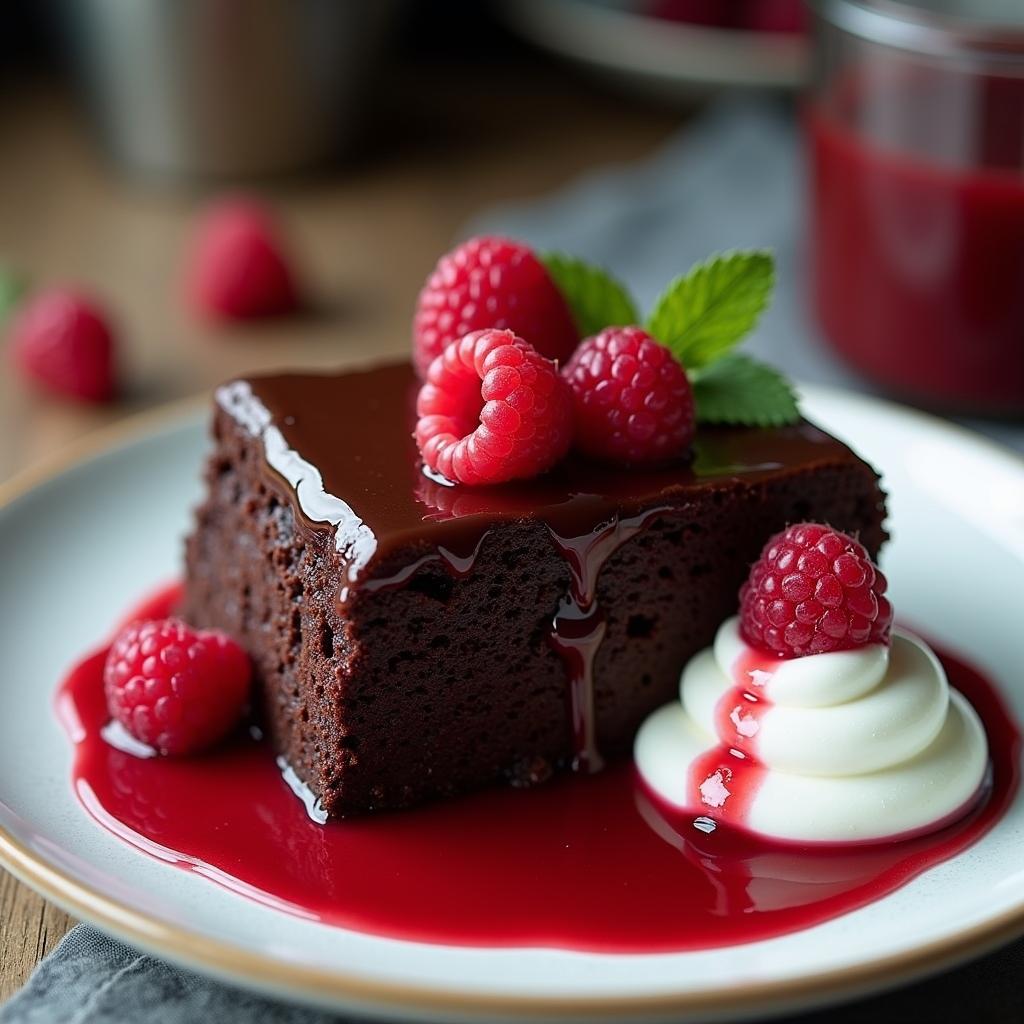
(336, 988)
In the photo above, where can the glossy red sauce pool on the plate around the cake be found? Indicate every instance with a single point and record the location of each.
(587, 863)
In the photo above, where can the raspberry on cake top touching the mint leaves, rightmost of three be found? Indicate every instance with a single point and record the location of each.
(632, 400)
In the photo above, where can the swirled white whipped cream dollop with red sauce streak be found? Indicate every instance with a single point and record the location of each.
(844, 747)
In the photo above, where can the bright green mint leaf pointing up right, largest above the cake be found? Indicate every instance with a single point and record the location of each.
(704, 314)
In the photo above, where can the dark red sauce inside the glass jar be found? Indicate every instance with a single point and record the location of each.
(918, 262)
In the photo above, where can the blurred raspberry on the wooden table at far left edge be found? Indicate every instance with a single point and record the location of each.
(62, 340)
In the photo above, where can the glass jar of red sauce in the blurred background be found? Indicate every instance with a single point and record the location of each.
(916, 130)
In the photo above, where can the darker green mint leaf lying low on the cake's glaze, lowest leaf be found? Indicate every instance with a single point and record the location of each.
(739, 390)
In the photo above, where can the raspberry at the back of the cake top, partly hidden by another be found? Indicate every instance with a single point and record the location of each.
(491, 283)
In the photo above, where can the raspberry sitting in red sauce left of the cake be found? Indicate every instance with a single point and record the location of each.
(176, 689)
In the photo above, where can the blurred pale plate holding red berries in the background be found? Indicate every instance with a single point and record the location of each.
(669, 60)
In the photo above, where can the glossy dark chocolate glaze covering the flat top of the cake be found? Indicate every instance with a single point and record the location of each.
(343, 446)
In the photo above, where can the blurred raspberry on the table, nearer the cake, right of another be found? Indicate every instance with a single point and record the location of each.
(238, 268)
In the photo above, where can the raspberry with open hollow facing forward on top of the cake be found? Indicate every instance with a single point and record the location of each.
(493, 410)
